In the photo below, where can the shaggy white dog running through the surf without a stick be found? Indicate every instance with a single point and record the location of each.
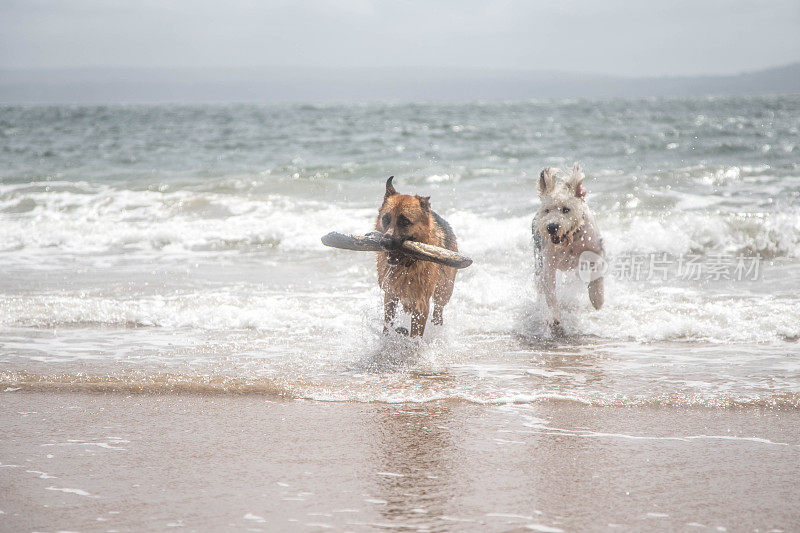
(565, 237)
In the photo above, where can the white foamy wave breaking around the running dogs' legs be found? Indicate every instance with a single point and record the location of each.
(486, 302)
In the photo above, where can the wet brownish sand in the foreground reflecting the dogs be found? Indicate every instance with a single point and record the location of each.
(84, 461)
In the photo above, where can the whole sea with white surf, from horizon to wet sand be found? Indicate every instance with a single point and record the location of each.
(177, 248)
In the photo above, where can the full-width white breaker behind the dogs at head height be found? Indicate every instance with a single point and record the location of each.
(81, 218)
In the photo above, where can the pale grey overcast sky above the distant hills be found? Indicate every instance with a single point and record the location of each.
(669, 37)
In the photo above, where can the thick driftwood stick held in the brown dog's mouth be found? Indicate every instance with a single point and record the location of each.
(375, 242)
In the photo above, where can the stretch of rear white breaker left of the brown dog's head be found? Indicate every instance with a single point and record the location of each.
(100, 219)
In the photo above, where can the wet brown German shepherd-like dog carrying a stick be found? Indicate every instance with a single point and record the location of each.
(411, 282)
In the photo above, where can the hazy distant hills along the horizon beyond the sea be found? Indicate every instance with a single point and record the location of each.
(284, 84)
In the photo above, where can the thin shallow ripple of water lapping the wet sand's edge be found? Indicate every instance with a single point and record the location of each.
(156, 382)
